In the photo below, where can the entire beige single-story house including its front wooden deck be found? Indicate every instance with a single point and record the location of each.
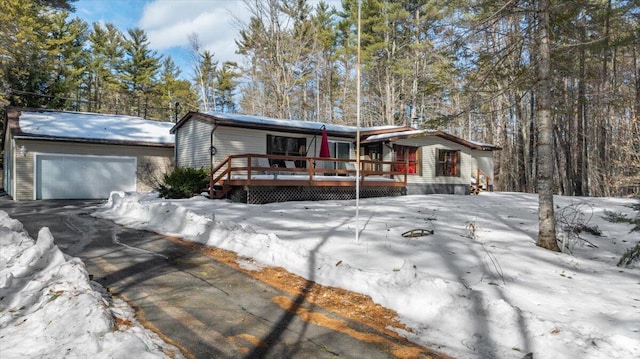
(418, 161)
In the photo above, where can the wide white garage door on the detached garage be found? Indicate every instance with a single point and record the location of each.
(83, 177)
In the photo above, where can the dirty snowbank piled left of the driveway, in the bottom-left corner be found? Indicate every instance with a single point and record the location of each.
(50, 308)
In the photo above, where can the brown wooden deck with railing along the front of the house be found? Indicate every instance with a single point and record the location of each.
(257, 170)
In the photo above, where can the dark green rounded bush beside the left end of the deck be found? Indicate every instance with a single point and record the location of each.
(184, 182)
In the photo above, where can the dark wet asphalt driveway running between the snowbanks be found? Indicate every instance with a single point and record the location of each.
(204, 307)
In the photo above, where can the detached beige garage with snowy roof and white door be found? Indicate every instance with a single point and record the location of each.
(72, 155)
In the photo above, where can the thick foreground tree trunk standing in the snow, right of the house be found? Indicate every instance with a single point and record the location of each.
(546, 219)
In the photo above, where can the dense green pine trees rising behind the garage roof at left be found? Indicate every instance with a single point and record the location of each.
(50, 58)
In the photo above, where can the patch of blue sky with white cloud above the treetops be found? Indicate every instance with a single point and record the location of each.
(168, 23)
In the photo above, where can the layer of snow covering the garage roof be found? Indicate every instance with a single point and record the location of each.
(81, 125)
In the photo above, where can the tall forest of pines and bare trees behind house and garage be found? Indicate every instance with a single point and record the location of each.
(473, 68)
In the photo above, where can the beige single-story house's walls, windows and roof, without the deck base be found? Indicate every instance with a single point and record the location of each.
(434, 161)
